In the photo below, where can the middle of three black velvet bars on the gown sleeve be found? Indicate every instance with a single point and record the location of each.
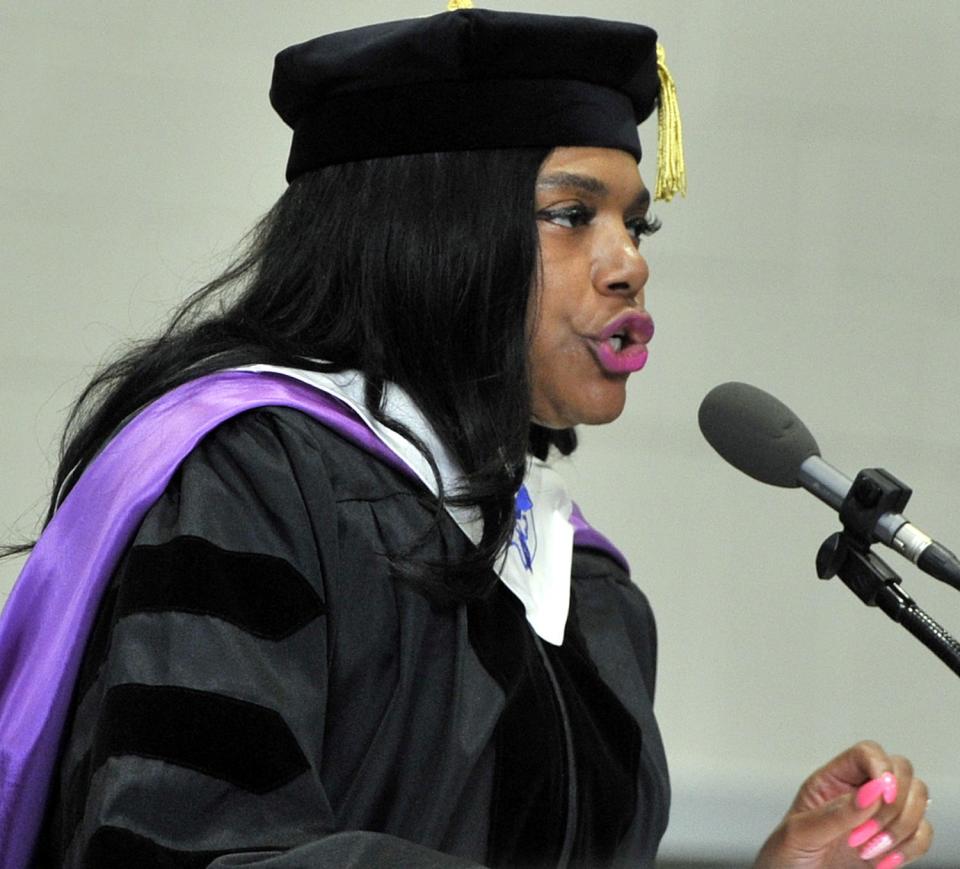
(232, 740)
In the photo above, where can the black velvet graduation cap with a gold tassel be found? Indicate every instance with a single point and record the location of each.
(471, 79)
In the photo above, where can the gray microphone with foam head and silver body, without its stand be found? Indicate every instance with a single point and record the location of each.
(761, 436)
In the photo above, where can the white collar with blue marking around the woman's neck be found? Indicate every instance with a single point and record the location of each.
(537, 563)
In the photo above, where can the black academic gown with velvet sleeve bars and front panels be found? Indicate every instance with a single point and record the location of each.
(257, 691)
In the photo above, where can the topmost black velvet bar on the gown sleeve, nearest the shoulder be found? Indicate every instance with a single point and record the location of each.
(260, 594)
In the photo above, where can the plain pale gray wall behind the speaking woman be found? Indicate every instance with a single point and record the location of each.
(816, 257)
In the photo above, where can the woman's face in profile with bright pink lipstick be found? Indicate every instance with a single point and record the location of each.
(588, 327)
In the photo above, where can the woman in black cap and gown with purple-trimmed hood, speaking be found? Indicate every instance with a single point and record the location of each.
(352, 617)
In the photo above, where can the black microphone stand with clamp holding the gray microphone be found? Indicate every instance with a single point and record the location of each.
(847, 554)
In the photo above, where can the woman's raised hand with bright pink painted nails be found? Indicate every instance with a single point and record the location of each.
(863, 808)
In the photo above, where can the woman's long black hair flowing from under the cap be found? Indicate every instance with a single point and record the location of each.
(416, 270)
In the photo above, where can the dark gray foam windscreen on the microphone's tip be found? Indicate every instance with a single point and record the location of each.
(756, 433)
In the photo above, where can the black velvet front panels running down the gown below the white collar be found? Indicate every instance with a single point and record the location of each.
(529, 806)
